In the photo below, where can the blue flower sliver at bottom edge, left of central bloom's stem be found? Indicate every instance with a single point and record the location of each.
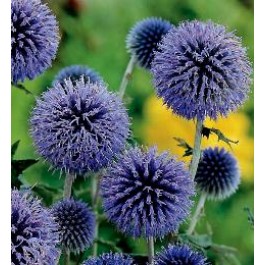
(109, 259)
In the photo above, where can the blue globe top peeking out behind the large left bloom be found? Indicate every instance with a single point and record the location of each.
(75, 72)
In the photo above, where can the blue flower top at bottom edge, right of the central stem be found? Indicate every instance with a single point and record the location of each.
(180, 255)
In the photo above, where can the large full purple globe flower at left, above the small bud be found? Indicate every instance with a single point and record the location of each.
(80, 126)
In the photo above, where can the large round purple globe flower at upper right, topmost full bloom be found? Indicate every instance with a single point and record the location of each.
(201, 70)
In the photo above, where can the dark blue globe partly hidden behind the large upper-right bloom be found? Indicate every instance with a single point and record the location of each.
(144, 37)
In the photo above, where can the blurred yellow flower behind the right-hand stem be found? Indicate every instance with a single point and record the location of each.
(161, 125)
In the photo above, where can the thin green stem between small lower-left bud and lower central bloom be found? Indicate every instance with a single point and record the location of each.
(95, 195)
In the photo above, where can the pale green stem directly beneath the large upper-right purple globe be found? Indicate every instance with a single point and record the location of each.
(196, 154)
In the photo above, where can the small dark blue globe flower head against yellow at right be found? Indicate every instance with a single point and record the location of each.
(218, 174)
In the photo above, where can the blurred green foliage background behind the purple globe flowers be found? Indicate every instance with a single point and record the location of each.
(93, 33)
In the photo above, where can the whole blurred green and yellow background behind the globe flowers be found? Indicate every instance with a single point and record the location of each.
(93, 33)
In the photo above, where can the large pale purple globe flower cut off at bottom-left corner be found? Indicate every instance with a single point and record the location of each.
(33, 231)
